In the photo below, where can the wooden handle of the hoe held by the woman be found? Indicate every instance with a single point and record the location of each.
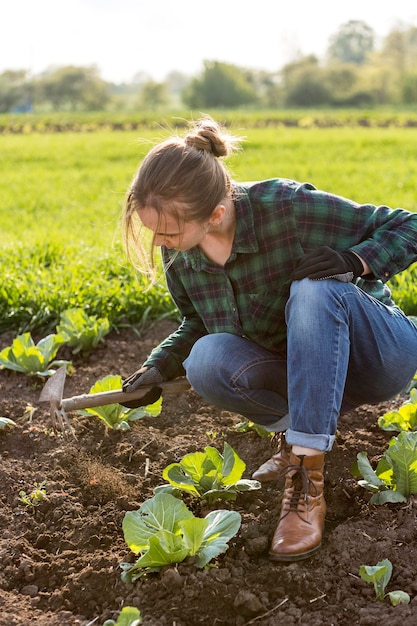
(88, 400)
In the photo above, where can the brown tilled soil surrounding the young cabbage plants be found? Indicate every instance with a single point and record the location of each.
(60, 560)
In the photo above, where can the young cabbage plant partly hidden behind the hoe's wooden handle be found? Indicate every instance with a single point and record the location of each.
(117, 416)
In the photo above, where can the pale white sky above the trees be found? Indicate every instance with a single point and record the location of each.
(126, 37)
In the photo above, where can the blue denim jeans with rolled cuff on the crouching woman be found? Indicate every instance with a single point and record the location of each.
(344, 349)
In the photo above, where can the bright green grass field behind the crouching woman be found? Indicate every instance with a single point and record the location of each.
(61, 196)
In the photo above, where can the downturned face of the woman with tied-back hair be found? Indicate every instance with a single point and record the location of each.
(172, 233)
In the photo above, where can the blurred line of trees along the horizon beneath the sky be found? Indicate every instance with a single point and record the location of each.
(355, 72)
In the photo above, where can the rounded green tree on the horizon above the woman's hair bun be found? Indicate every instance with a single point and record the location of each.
(220, 85)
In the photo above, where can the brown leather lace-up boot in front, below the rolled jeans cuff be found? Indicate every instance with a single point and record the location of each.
(303, 510)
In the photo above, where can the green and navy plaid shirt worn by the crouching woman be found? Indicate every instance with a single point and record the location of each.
(277, 221)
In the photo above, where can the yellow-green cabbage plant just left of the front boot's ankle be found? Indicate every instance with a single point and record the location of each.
(208, 475)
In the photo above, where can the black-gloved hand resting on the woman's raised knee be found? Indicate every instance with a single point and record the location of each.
(328, 263)
